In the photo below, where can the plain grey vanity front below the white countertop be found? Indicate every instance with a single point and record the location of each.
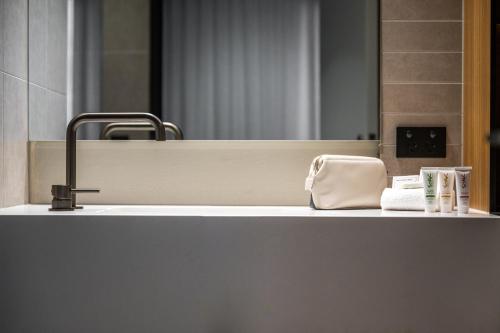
(195, 274)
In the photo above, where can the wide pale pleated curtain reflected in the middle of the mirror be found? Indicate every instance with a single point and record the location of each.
(242, 69)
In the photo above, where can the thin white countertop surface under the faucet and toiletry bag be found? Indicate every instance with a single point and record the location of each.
(236, 211)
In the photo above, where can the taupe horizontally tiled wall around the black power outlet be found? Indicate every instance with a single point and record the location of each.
(421, 76)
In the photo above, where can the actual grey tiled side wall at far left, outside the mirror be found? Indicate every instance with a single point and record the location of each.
(13, 102)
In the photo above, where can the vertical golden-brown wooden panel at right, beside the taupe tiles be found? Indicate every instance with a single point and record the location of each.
(477, 39)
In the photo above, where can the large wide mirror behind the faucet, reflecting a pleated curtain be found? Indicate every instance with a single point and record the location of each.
(224, 69)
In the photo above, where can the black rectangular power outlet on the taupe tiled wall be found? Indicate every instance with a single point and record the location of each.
(421, 142)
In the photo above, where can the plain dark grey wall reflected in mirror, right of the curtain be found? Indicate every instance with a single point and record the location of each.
(349, 69)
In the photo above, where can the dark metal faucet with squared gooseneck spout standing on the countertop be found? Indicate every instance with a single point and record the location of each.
(64, 196)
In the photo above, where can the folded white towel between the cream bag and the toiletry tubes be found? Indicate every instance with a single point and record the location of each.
(402, 199)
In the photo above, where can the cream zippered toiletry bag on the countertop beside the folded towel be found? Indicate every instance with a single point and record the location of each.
(341, 182)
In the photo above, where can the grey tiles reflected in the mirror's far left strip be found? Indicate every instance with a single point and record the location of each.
(47, 69)
